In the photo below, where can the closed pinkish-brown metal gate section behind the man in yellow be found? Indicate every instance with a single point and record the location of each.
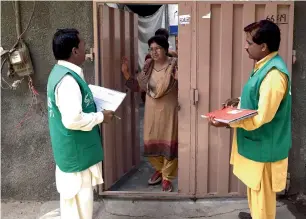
(213, 66)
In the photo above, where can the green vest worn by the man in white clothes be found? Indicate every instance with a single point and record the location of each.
(73, 150)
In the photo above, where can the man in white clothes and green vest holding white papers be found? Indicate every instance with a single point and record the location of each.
(74, 130)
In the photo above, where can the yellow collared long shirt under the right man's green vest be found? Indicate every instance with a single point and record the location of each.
(272, 91)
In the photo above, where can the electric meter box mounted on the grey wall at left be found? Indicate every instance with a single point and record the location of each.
(21, 61)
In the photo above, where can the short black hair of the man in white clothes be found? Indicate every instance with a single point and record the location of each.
(64, 40)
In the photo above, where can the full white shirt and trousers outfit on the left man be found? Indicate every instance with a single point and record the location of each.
(76, 189)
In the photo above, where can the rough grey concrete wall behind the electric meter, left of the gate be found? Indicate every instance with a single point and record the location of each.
(27, 162)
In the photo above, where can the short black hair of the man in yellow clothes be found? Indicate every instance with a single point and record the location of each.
(265, 32)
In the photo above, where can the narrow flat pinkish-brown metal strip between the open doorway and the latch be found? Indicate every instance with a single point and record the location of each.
(186, 170)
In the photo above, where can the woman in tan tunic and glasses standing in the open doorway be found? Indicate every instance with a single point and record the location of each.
(159, 80)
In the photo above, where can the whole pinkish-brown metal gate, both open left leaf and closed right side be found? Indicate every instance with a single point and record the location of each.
(213, 66)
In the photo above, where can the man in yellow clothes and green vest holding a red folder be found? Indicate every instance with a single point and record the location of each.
(261, 144)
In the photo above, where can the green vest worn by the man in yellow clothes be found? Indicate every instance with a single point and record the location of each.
(272, 141)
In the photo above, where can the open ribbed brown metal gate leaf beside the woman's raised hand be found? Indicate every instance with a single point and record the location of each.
(117, 37)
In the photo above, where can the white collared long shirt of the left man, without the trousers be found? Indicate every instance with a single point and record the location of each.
(68, 98)
